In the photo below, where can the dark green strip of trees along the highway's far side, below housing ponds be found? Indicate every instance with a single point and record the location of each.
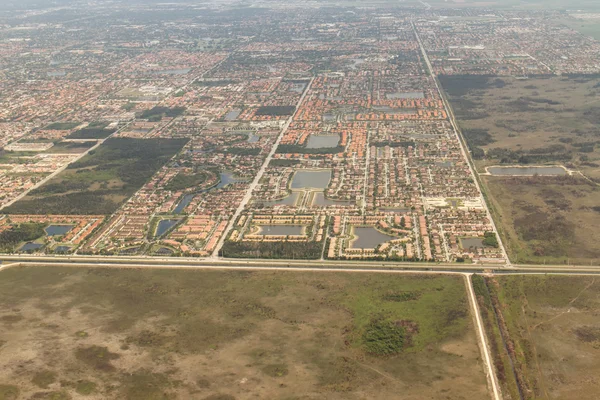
(275, 250)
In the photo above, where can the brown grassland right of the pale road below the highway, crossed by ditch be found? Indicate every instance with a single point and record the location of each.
(545, 334)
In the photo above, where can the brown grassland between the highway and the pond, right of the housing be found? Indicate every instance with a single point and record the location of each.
(552, 220)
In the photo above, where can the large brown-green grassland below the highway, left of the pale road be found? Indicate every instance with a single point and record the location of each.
(174, 334)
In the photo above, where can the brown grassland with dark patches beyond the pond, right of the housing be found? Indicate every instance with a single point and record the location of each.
(554, 119)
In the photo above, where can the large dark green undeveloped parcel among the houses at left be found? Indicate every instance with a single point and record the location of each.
(99, 182)
